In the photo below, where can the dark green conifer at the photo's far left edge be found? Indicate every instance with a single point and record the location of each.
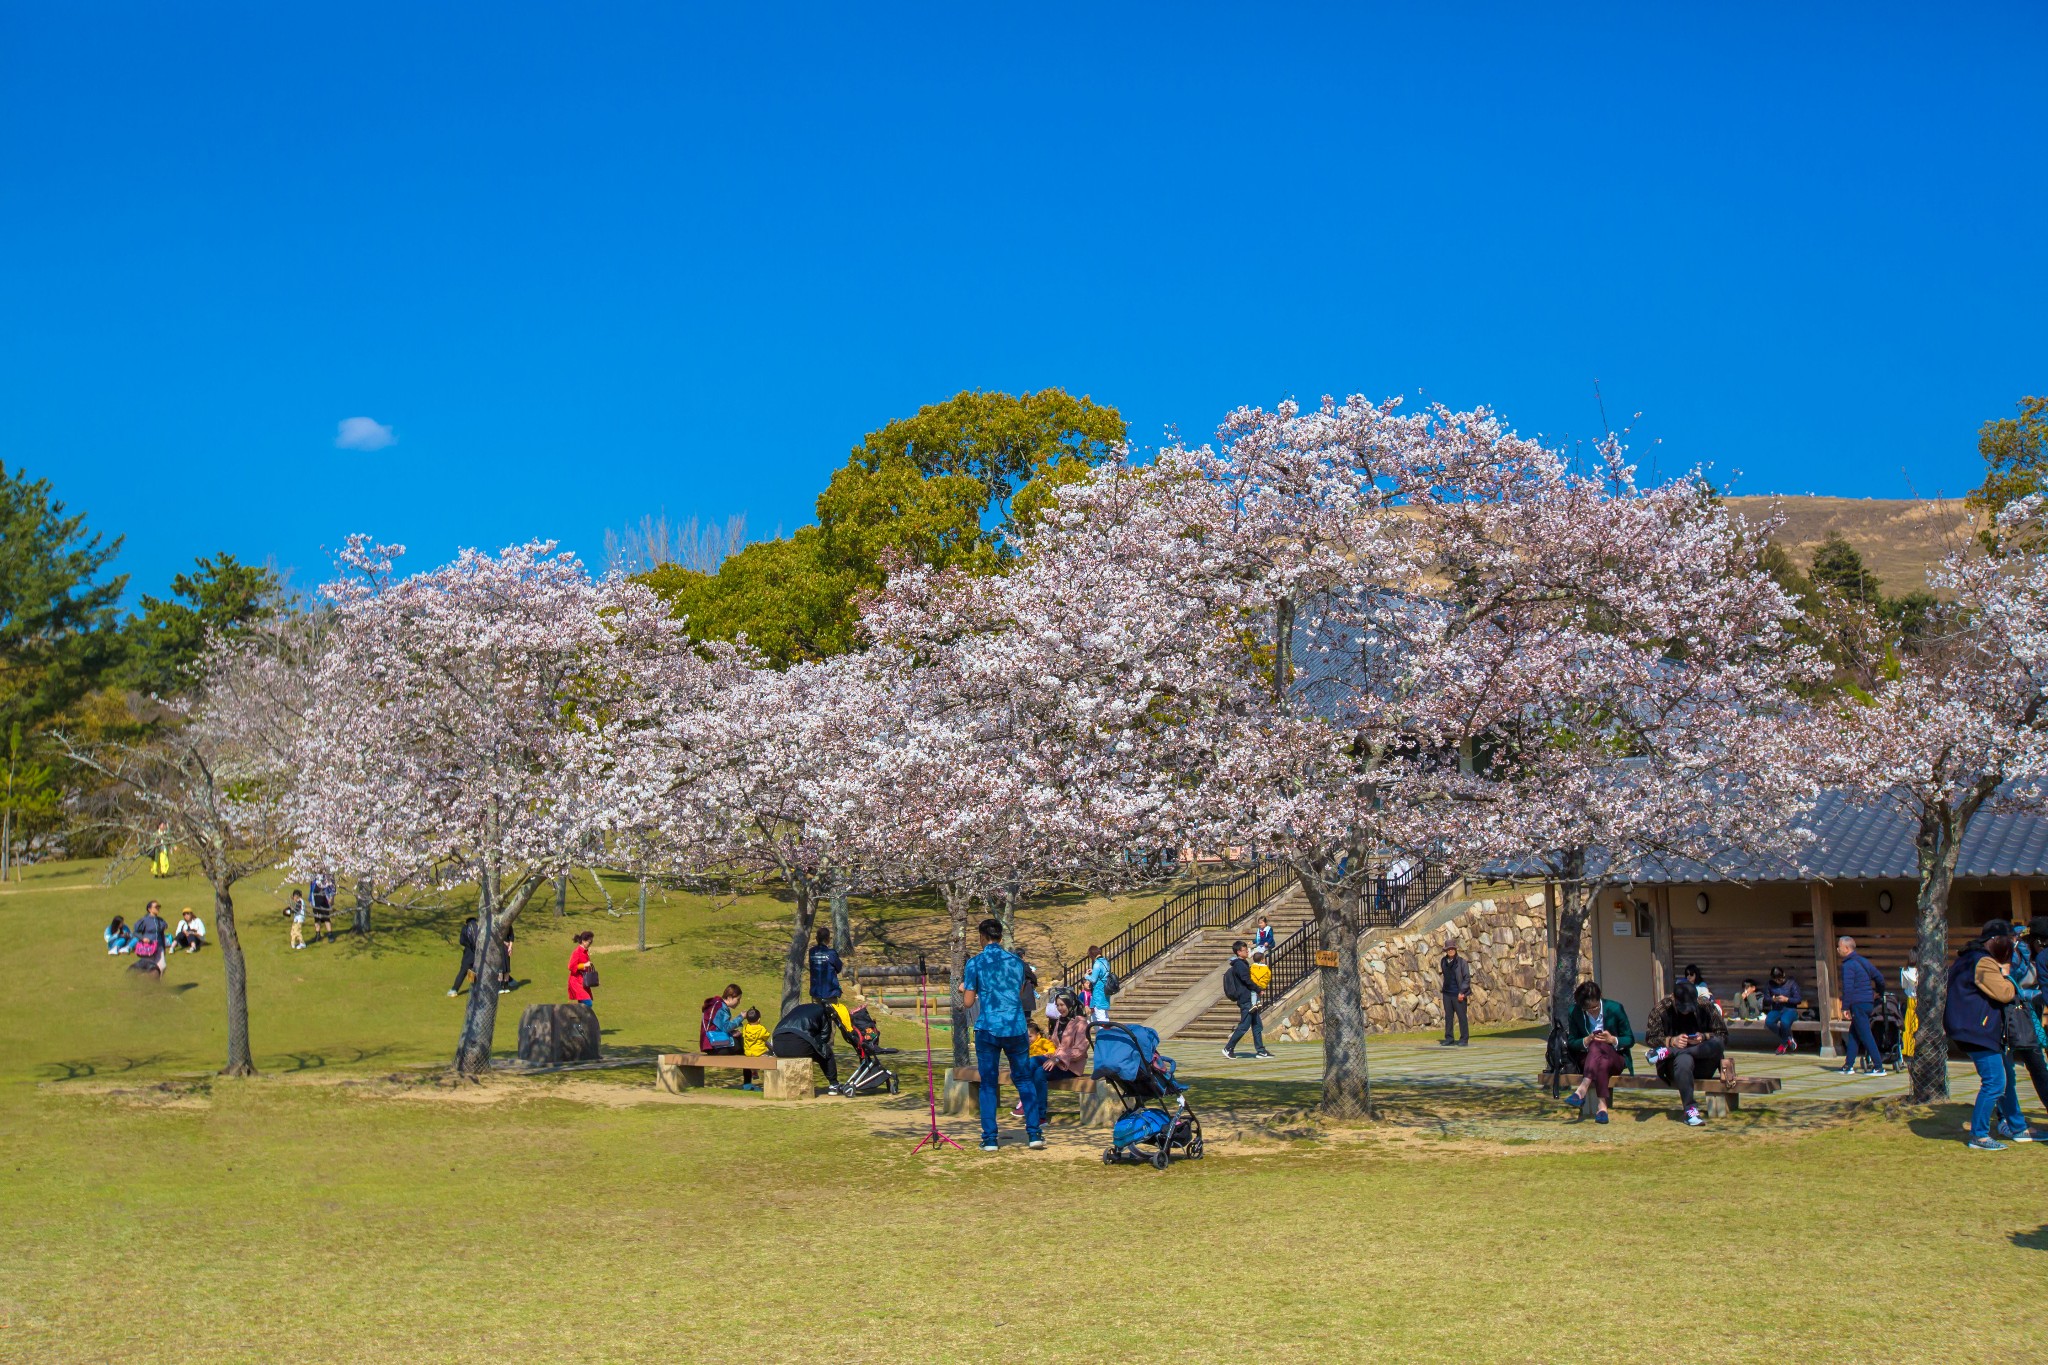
(58, 637)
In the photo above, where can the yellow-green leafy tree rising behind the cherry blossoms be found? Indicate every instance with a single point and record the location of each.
(951, 488)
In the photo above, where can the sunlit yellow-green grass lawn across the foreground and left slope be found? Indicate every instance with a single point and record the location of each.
(345, 1208)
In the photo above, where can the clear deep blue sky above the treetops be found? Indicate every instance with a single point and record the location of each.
(601, 261)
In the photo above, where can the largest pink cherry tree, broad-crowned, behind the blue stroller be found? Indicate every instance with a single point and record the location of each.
(1304, 640)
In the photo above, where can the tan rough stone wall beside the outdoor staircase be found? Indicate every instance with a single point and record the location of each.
(1504, 938)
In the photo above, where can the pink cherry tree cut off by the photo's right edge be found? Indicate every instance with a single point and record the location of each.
(1953, 730)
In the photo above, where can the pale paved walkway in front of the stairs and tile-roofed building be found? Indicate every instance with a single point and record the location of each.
(1512, 1063)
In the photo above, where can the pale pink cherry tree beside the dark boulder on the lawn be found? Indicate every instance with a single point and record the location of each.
(472, 728)
